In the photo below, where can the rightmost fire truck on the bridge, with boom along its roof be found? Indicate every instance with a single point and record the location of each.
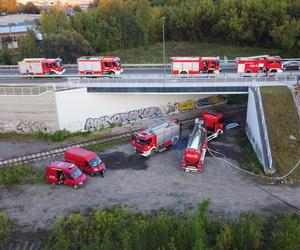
(257, 64)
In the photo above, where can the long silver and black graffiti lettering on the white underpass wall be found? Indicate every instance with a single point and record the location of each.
(121, 118)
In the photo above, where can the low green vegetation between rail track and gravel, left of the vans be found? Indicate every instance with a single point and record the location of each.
(19, 174)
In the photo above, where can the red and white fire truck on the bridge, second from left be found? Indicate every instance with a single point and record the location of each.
(101, 65)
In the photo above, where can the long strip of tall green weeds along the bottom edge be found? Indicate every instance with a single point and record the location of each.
(117, 228)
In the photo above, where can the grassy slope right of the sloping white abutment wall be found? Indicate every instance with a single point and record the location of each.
(282, 122)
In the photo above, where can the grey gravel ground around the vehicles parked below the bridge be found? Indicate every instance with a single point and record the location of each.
(144, 184)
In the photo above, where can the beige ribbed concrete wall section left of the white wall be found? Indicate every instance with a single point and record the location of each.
(27, 114)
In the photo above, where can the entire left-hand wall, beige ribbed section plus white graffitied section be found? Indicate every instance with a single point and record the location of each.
(78, 109)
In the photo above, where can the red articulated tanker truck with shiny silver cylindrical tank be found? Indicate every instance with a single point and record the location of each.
(205, 129)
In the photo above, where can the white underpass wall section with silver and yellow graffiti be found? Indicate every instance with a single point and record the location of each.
(77, 109)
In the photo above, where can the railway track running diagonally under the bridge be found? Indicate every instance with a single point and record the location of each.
(107, 139)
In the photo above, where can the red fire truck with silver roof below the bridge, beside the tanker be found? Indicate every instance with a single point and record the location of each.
(156, 138)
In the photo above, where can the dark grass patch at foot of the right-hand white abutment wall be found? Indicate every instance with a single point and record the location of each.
(250, 161)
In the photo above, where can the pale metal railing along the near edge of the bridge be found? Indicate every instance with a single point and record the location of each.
(146, 84)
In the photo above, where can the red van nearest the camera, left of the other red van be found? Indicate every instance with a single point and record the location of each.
(59, 172)
